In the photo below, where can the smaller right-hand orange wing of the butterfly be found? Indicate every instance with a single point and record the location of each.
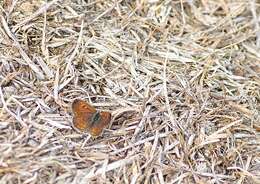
(98, 126)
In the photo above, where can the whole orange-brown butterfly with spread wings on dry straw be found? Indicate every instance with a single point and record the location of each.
(88, 119)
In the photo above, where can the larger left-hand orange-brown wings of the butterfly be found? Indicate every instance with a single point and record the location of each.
(83, 113)
